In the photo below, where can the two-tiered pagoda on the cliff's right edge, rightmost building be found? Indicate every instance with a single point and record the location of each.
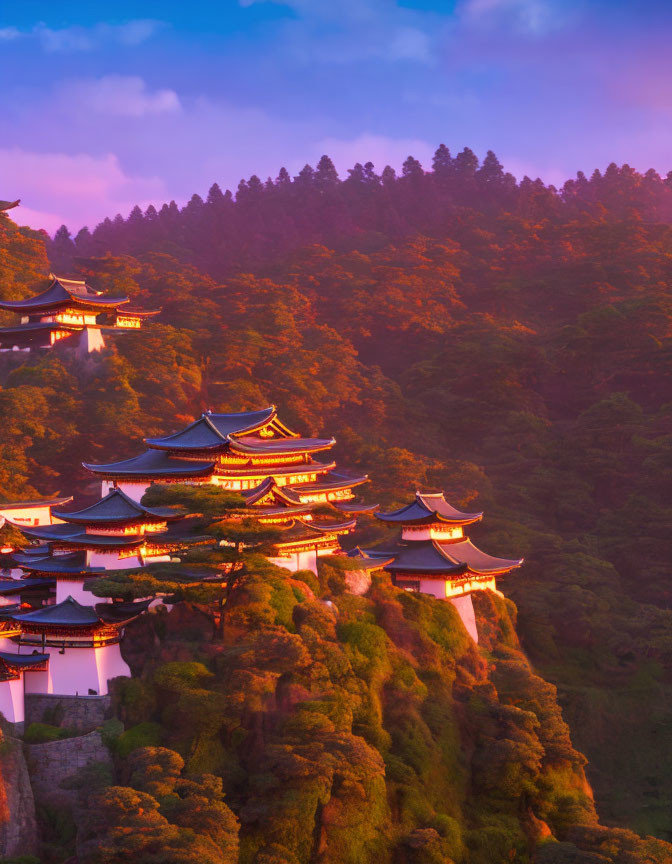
(432, 555)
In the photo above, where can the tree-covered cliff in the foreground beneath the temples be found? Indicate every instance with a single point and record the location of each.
(360, 728)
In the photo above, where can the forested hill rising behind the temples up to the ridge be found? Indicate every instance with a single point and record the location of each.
(507, 342)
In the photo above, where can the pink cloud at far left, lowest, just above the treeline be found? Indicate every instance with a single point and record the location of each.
(81, 189)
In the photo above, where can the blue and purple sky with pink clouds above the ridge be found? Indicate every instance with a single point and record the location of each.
(108, 105)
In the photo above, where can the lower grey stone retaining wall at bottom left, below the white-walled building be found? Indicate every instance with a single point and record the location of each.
(51, 763)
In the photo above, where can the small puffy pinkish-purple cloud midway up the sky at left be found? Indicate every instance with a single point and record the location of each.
(117, 95)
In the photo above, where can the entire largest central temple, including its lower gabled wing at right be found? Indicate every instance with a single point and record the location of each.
(274, 468)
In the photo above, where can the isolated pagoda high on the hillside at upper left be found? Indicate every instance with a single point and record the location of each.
(68, 309)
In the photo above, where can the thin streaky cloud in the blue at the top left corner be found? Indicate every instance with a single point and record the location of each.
(74, 38)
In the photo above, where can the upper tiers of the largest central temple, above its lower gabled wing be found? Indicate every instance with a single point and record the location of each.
(237, 452)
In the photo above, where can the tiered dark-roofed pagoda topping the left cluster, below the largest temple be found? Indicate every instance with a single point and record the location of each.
(115, 533)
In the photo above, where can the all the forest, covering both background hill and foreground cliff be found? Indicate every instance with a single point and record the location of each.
(507, 342)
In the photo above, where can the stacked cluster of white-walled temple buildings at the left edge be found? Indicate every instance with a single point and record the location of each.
(45, 612)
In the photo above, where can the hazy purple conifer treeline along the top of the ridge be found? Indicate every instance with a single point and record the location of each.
(267, 219)
